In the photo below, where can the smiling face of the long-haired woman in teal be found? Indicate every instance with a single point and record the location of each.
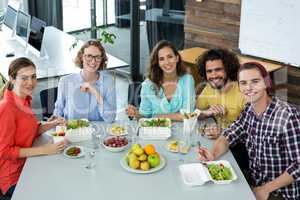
(167, 60)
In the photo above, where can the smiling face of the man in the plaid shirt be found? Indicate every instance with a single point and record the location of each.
(252, 86)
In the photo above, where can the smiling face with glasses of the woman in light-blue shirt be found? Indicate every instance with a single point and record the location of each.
(91, 58)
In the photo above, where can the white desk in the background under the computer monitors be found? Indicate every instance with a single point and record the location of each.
(60, 56)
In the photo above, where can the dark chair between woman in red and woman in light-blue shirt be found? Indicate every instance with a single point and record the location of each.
(48, 98)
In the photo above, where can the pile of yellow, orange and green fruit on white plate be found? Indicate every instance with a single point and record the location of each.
(140, 158)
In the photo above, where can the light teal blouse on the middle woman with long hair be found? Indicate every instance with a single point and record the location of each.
(182, 99)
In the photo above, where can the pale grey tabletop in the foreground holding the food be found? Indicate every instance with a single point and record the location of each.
(58, 177)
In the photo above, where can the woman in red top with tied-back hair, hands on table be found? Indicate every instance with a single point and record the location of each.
(19, 126)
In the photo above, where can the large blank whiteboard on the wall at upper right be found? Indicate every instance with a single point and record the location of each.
(270, 29)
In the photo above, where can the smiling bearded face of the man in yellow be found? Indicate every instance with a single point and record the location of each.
(215, 73)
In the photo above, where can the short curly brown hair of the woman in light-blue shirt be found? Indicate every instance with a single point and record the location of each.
(78, 60)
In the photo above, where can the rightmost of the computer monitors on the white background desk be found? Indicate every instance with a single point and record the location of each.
(37, 27)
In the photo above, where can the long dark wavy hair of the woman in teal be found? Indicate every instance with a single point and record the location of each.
(155, 73)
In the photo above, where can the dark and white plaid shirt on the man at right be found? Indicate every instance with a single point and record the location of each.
(273, 143)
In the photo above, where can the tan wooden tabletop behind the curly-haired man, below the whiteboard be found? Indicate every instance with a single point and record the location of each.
(190, 56)
